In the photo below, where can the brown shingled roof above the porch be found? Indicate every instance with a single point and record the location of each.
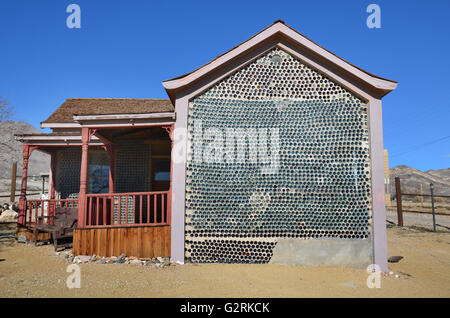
(106, 106)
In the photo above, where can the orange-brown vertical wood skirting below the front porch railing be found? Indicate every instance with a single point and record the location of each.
(142, 241)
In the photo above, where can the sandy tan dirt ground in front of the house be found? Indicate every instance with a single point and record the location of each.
(29, 271)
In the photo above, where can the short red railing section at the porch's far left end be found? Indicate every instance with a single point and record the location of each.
(44, 207)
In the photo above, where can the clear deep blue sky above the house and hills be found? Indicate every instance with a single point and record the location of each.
(124, 49)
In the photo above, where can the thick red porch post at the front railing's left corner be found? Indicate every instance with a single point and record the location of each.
(85, 136)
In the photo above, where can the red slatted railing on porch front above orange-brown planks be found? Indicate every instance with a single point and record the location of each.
(127, 209)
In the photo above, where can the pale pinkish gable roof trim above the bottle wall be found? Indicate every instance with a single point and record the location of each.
(382, 85)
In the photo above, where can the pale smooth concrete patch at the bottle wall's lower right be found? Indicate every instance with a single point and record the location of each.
(323, 252)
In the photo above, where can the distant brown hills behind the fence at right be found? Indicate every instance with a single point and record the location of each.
(411, 179)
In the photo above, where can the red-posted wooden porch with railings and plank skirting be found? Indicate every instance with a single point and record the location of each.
(110, 223)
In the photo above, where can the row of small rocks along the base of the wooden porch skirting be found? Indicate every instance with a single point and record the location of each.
(159, 262)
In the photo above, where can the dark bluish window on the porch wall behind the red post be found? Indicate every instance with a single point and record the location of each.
(98, 172)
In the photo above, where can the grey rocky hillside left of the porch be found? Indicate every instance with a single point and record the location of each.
(11, 150)
